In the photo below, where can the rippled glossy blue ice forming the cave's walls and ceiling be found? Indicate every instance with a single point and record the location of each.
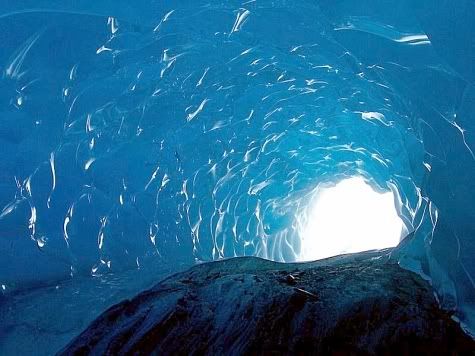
(165, 133)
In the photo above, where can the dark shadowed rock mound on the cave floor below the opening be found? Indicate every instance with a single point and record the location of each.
(355, 304)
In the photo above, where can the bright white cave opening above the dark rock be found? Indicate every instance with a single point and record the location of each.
(349, 217)
